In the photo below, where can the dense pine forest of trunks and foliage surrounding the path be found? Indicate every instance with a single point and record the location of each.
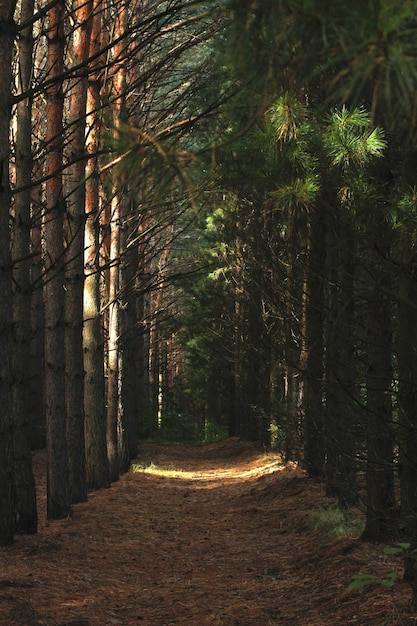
(208, 216)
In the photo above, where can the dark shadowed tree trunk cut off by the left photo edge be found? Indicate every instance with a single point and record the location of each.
(7, 30)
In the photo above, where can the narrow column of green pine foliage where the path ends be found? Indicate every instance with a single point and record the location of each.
(206, 331)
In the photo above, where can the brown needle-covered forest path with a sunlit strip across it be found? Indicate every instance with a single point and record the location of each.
(216, 534)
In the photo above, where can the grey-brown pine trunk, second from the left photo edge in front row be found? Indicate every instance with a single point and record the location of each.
(24, 483)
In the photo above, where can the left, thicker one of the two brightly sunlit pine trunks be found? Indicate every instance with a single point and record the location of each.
(97, 467)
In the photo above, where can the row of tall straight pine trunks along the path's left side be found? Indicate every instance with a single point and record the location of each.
(63, 297)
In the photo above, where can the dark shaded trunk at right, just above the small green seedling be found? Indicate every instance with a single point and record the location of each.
(380, 512)
